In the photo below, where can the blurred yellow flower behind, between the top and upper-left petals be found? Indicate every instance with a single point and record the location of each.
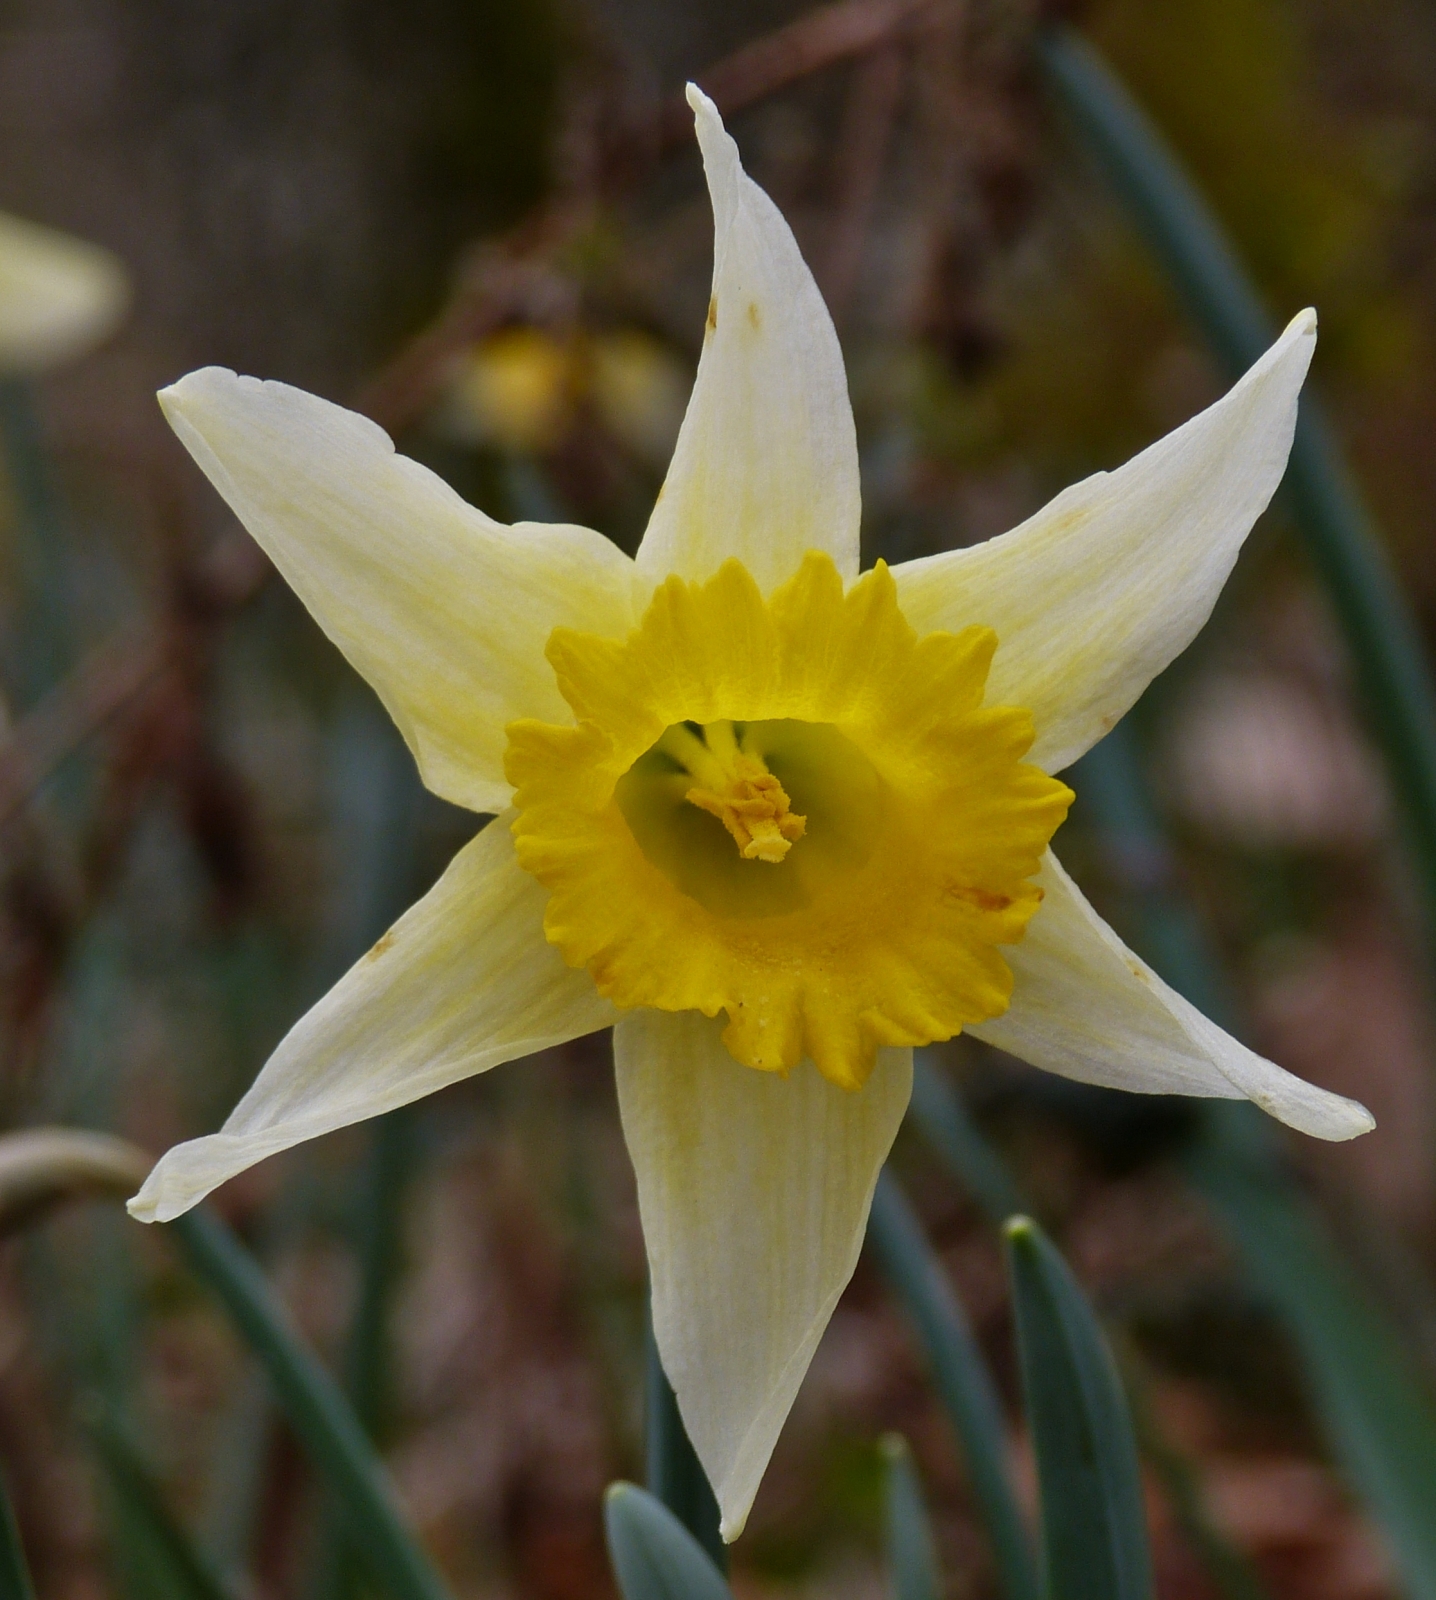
(525, 388)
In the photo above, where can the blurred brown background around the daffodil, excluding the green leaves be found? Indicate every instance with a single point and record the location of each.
(485, 226)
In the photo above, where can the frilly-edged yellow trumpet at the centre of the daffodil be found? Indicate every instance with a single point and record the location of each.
(789, 809)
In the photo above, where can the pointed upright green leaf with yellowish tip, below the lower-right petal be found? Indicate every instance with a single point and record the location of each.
(1095, 1526)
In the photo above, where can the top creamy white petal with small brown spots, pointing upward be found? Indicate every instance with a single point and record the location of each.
(767, 460)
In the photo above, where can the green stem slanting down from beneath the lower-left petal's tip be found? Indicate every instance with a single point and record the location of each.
(316, 1409)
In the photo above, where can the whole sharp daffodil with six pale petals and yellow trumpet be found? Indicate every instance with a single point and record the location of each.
(773, 822)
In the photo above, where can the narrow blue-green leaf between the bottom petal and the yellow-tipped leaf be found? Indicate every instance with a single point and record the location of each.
(962, 1380)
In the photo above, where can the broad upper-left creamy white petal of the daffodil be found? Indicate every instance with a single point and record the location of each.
(442, 609)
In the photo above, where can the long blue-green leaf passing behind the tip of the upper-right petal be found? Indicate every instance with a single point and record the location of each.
(1336, 526)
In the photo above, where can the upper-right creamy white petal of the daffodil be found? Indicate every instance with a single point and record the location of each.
(1098, 593)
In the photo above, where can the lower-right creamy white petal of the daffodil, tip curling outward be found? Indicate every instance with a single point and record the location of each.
(1085, 1007)
